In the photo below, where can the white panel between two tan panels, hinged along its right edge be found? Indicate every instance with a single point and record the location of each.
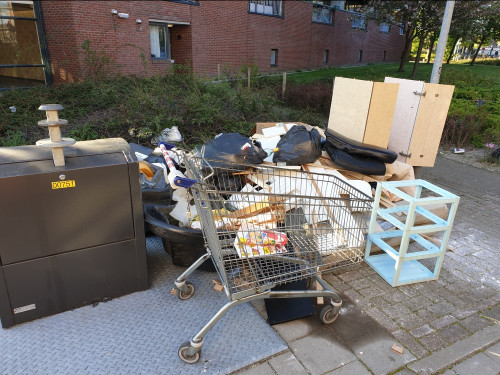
(405, 115)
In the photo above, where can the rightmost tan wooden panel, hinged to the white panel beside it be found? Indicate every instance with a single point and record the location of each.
(429, 124)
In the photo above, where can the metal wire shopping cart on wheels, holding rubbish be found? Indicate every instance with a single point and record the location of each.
(265, 226)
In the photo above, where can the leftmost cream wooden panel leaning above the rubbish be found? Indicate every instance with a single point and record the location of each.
(349, 110)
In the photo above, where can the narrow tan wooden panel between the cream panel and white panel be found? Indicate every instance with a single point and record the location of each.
(380, 114)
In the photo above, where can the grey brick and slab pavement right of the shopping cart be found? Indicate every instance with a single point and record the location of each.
(442, 324)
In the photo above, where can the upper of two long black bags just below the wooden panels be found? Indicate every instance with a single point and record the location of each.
(356, 148)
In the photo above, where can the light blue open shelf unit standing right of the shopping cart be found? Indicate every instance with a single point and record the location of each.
(397, 266)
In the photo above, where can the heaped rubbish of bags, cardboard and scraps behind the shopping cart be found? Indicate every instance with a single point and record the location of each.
(293, 146)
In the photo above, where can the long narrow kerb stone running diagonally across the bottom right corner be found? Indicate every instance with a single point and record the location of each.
(443, 358)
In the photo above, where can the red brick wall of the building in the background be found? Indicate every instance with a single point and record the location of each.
(221, 32)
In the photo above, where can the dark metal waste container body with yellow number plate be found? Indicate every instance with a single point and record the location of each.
(71, 235)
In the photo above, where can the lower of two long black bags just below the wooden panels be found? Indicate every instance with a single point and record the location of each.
(355, 163)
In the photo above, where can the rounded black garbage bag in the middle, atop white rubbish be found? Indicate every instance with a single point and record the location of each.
(298, 146)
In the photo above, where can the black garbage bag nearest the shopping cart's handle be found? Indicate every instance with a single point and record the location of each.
(234, 149)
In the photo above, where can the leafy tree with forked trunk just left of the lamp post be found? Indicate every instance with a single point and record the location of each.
(417, 18)
